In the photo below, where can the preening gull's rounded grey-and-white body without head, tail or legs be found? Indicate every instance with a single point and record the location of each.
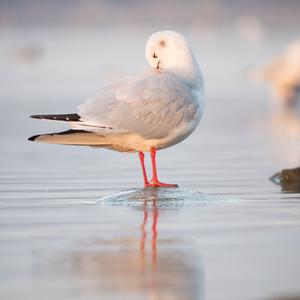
(150, 110)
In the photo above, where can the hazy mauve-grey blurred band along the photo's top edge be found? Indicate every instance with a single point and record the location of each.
(274, 14)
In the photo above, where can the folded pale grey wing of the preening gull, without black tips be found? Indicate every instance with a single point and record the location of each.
(150, 105)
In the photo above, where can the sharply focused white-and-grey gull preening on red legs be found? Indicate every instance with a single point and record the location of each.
(144, 113)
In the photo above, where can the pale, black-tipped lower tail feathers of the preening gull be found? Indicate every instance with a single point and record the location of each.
(72, 137)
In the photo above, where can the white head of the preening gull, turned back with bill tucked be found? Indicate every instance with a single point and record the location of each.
(169, 52)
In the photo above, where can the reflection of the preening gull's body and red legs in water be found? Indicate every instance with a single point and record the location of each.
(152, 267)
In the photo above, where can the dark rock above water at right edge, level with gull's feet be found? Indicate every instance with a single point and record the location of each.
(289, 179)
